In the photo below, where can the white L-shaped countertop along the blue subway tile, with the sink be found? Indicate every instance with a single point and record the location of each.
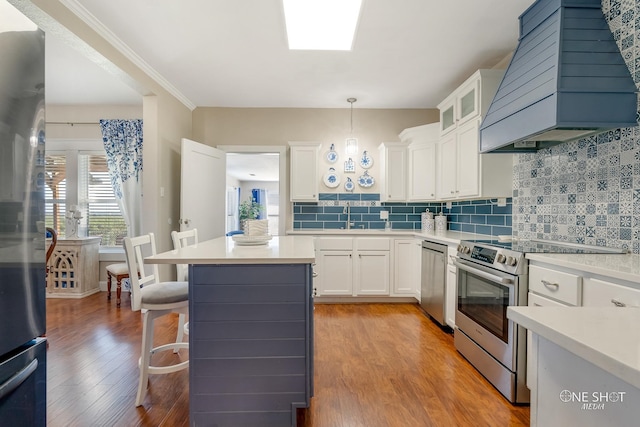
(446, 237)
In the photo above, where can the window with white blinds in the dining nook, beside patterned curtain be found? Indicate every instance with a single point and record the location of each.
(89, 189)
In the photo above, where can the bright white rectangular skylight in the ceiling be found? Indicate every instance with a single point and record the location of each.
(321, 24)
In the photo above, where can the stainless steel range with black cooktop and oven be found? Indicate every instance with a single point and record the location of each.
(493, 275)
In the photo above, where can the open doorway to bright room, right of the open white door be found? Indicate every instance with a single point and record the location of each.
(256, 173)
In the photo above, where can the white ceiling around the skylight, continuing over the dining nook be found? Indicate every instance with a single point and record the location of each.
(233, 53)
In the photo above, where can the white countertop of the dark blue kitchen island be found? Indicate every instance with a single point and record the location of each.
(223, 250)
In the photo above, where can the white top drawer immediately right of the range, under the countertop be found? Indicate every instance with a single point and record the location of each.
(561, 286)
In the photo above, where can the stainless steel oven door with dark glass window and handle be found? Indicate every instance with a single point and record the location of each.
(481, 312)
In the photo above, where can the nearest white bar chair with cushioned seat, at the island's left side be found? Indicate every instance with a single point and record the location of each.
(155, 299)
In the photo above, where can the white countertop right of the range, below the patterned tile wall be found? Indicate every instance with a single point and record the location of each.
(619, 266)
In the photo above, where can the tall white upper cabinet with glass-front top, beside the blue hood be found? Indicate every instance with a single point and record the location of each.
(463, 172)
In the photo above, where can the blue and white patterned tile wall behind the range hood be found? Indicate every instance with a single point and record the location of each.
(587, 191)
